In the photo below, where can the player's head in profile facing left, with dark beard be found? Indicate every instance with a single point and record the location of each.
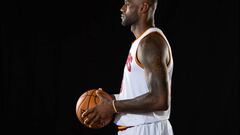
(134, 10)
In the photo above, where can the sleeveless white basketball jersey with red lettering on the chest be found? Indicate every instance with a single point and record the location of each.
(134, 85)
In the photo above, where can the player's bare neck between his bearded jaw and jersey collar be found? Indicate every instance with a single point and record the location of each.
(139, 29)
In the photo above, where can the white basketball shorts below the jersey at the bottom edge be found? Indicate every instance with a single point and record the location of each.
(157, 128)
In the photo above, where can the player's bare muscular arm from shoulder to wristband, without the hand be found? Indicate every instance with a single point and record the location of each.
(153, 54)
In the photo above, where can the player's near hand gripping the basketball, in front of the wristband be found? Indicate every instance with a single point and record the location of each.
(101, 111)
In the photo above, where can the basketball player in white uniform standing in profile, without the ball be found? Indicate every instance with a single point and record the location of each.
(143, 105)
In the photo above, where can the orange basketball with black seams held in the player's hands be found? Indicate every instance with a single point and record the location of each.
(88, 100)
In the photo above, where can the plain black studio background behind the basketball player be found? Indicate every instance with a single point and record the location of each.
(53, 51)
